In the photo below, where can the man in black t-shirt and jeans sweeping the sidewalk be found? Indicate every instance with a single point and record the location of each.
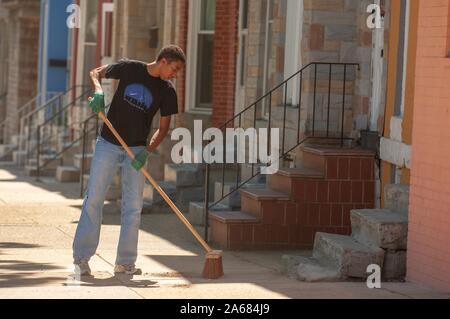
(144, 89)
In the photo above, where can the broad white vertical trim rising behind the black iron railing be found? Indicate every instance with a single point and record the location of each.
(293, 52)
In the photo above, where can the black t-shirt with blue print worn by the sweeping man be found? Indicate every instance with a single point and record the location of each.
(136, 101)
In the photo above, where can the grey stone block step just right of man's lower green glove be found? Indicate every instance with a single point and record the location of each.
(184, 175)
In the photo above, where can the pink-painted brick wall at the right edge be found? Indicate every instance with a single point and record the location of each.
(429, 219)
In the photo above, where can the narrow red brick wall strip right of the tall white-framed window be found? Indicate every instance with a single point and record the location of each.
(224, 60)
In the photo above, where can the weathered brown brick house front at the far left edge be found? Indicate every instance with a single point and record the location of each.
(19, 64)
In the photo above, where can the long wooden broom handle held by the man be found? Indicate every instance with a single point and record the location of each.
(156, 186)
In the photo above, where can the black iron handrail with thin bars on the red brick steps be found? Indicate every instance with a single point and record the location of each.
(299, 141)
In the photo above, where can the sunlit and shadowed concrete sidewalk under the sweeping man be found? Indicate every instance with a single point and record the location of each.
(38, 222)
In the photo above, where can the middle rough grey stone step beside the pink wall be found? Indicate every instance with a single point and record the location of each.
(349, 257)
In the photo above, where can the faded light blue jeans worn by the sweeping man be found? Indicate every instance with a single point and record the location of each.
(107, 158)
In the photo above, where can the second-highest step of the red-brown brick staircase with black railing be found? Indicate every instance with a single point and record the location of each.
(288, 180)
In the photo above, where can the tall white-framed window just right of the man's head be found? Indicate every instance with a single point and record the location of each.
(200, 60)
